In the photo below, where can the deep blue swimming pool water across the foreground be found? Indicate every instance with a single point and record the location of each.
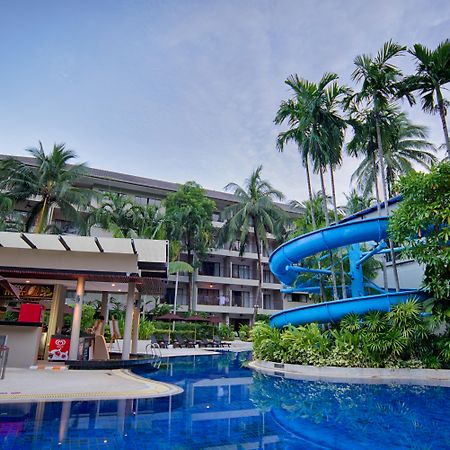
(226, 406)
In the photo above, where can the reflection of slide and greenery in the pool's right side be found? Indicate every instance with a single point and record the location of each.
(340, 415)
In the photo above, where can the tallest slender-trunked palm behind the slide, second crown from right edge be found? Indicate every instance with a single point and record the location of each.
(380, 84)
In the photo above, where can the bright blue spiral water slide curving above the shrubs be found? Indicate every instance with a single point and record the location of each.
(283, 263)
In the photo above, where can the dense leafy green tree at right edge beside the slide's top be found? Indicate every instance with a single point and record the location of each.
(425, 213)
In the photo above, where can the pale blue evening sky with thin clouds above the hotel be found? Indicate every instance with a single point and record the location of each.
(188, 90)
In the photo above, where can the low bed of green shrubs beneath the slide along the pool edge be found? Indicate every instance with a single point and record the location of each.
(399, 338)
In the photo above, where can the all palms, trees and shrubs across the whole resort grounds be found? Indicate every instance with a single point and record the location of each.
(326, 121)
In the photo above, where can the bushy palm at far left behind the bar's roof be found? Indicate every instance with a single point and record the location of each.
(50, 181)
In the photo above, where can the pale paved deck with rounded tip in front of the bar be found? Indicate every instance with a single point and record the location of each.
(21, 385)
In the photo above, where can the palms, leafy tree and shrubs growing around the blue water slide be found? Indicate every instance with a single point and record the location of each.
(390, 147)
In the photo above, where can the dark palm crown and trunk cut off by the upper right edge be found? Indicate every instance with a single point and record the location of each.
(432, 73)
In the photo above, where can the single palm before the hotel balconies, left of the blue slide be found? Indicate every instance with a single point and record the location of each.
(255, 211)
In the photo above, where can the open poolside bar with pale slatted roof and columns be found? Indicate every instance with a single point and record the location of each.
(47, 266)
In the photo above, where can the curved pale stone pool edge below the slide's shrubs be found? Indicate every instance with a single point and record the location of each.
(429, 377)
